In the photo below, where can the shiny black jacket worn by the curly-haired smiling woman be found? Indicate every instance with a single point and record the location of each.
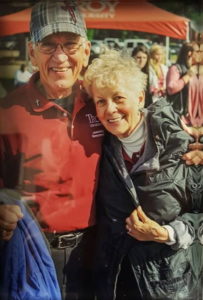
(158, 182)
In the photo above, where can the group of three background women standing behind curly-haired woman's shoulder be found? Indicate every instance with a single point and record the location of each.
(178, 81)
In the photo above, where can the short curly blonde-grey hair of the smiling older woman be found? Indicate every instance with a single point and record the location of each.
(111, 69)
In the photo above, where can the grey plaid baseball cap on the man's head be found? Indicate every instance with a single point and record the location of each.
(50, 17)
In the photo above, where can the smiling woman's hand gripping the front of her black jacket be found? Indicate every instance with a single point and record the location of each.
(143, 228)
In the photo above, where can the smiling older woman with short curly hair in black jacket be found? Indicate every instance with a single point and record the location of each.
(142, 193)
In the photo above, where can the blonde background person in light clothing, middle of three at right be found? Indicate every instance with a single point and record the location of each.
(157, 72)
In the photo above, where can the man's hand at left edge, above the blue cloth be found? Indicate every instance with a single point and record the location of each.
(9, 216)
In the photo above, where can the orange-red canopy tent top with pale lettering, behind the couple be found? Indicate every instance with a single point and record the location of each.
(123, 15)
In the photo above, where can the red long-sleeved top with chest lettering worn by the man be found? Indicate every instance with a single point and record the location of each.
(50, 158)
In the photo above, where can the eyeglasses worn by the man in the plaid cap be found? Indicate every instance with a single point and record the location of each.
(69, 48)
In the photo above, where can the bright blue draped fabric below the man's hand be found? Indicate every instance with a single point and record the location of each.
(27, 271)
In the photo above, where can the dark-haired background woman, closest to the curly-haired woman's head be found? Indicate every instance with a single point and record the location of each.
(141, 55)
